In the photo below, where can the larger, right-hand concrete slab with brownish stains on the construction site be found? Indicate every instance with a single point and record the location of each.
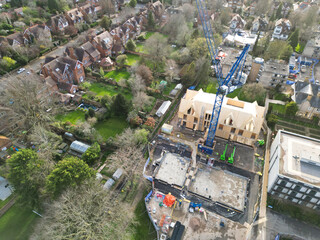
(221, 186)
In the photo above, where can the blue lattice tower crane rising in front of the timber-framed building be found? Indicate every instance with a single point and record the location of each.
(227, 84)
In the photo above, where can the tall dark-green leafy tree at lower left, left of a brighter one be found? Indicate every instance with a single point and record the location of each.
(27, 176)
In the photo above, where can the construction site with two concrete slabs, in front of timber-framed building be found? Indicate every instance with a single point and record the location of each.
(196, 196)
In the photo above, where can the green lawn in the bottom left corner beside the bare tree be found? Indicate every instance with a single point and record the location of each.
(17, 223)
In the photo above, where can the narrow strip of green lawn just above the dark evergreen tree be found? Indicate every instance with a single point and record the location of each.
(102, 89)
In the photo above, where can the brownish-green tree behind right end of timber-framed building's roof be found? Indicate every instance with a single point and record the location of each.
(253, 92)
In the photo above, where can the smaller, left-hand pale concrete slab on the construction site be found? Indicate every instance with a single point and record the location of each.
(173, 169)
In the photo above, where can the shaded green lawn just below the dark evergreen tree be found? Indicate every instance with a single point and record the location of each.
(111, 127)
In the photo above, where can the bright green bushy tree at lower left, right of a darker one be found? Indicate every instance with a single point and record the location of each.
(68, 172)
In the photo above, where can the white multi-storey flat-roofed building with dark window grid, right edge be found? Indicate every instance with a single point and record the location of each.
(294, 169)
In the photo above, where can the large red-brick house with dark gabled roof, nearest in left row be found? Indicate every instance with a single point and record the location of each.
(65, 71)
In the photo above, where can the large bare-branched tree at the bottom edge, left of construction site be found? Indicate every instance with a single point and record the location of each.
(85, 212)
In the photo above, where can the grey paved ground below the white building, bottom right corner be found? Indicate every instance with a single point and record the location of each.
(277, 223)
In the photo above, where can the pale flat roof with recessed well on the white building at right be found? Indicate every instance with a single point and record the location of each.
(300, 157)
